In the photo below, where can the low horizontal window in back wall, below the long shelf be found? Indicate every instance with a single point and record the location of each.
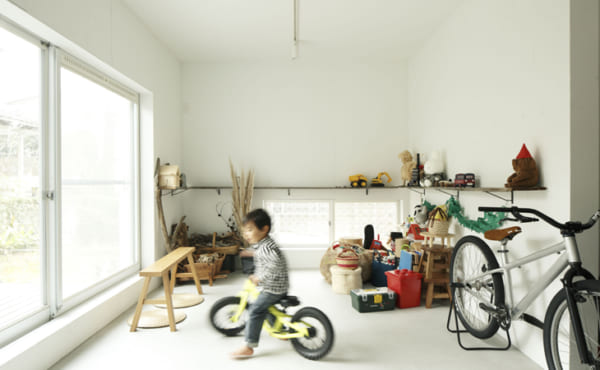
(305, 223)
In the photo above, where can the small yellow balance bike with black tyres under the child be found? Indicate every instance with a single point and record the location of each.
(309, 330)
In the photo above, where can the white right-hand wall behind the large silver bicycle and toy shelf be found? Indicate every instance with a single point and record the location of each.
(495, 75)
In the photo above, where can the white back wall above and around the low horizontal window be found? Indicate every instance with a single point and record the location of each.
(299, 123)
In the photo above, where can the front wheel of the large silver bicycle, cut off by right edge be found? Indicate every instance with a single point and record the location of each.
(559, 344)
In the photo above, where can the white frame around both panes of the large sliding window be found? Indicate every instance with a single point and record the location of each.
(50, 188)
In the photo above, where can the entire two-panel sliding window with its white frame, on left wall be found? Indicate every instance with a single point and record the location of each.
(68, 182)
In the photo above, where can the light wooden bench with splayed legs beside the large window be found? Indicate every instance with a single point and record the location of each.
(161, 268)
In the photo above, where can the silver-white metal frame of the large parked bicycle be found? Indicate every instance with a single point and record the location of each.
(516, 312)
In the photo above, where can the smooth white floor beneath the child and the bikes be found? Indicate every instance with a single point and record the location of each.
(413, 338)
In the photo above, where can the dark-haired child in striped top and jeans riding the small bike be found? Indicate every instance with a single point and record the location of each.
(270, 272)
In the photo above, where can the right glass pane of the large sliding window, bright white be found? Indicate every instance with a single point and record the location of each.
(97, 177)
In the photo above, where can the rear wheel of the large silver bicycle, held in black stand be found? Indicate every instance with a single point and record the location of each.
(471, 257)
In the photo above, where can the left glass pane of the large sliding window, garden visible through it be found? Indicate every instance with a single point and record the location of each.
(21, 268)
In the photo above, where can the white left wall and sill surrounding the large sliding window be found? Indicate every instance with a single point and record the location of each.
(107, 35)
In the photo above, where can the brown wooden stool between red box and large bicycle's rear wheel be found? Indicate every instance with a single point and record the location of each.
(435, 267)
